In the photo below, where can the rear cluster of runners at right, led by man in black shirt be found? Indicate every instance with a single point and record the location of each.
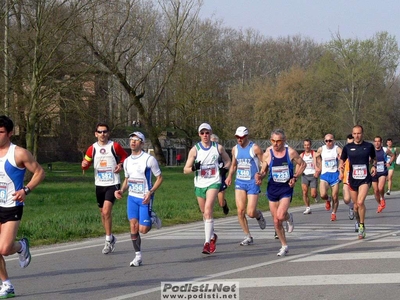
(332, 165)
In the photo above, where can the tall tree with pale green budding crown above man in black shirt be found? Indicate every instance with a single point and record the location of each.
(358, 71)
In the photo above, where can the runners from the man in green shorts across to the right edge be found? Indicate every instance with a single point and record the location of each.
(358, 165)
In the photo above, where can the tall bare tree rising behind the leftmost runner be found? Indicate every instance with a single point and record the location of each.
(43, 57)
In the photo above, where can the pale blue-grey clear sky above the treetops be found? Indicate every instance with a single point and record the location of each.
(315, 19)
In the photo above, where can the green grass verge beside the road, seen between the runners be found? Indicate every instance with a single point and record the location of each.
(64, 207)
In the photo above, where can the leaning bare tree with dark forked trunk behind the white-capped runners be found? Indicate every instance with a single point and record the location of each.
(140, 46)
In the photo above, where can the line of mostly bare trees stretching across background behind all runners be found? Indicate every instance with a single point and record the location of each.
(68, 64)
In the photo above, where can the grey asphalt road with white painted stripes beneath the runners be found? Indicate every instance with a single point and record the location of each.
(326, 260)
